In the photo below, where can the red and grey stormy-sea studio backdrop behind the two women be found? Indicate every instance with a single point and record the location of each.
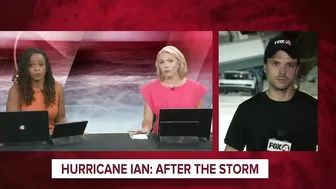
(102, 72)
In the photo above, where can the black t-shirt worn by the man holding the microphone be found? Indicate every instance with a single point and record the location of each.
(260, 118)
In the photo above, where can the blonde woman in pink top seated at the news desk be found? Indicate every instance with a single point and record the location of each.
(171, 90)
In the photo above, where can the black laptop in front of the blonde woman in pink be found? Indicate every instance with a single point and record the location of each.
(185, 125)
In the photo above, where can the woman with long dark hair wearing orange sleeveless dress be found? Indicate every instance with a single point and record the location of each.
(35, 89)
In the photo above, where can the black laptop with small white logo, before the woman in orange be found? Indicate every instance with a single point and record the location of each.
(24, 127)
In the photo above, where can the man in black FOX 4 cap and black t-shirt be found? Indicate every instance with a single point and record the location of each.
(281, 118)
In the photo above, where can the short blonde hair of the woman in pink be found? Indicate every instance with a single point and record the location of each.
(178, 55)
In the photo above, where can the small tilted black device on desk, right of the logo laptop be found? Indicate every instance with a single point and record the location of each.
(71, 132)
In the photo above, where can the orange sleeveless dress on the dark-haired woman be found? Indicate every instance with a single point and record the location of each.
(38, 105)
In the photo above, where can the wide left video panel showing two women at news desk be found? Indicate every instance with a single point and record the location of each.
(107, 84)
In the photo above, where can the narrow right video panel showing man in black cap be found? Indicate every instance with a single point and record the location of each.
(268, 85)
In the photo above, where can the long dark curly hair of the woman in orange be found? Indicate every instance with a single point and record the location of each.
(24, 81)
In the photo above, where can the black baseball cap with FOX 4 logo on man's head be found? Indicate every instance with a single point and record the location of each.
(281, 43)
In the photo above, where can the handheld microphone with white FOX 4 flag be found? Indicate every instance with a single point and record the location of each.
(279, 143)
